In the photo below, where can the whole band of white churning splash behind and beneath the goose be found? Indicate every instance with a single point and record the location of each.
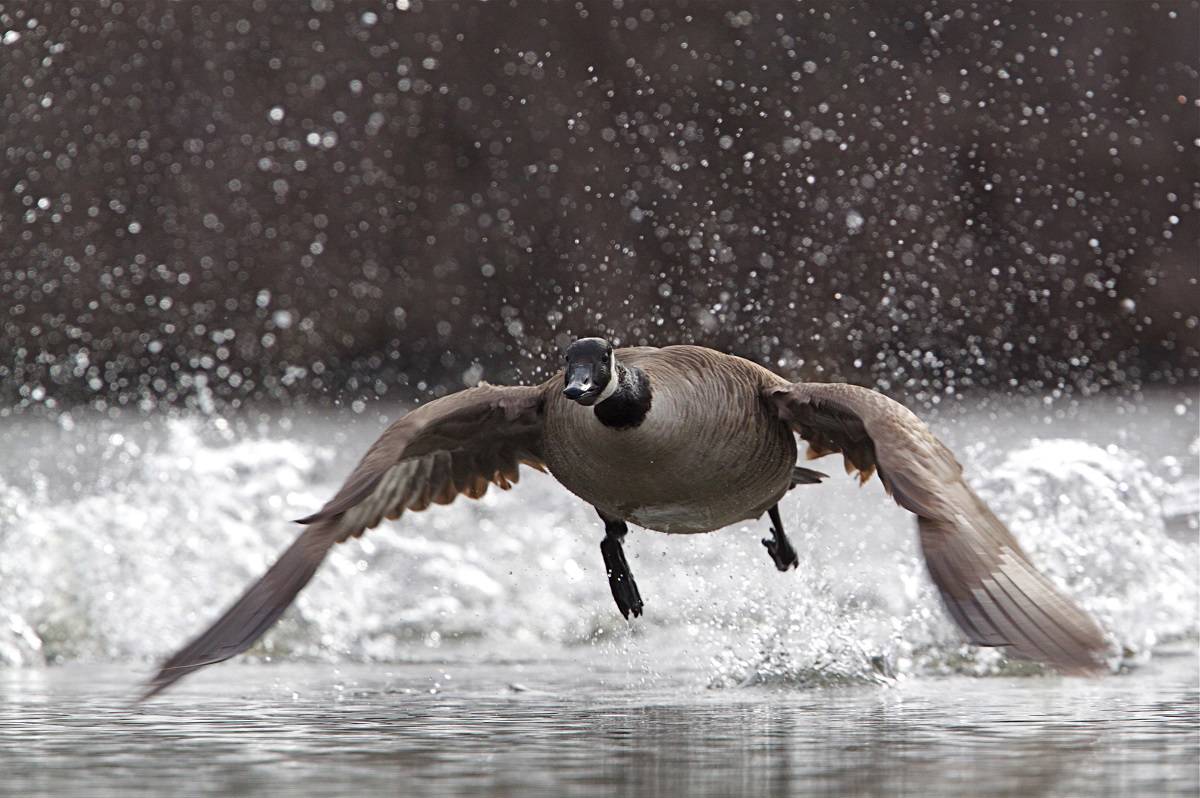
(130, 566)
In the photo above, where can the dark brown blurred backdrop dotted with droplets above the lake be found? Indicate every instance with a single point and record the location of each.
(337, 201)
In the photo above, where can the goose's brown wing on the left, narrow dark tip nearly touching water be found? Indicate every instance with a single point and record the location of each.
(458, 445)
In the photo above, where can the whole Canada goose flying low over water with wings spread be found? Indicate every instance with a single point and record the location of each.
(680, 440)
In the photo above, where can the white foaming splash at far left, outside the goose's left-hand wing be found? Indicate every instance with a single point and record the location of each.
(95, 575)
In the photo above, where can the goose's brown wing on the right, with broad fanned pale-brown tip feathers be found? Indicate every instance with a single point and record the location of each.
(987, 581)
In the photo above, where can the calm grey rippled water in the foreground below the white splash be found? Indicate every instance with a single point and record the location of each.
(311, 730)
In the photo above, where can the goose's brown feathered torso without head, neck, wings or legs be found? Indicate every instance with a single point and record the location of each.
(707, 455)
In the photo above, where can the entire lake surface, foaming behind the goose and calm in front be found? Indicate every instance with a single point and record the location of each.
(477, 649)
